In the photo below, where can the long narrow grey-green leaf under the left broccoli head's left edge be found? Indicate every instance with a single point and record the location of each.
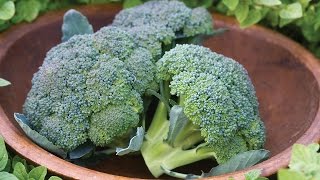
(36, 137)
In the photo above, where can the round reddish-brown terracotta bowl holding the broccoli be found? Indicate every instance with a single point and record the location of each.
(285, 75)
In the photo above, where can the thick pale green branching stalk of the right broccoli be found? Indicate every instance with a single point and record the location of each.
(159, 154)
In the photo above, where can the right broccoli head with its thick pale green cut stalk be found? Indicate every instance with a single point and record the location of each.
(219, 102)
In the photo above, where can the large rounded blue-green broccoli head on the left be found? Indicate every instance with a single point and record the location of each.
(81, 79)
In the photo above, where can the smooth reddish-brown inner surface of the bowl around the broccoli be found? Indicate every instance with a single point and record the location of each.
(288, 93)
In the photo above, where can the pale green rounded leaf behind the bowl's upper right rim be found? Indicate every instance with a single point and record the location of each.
(291, 11)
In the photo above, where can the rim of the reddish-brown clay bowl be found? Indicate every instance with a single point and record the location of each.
(38, 155)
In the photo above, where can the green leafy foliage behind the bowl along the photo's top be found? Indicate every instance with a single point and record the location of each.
(297, 19)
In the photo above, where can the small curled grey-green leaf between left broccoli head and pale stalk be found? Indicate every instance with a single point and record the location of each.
(134, 144)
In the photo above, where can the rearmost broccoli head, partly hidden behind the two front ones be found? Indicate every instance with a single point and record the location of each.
(159, 25)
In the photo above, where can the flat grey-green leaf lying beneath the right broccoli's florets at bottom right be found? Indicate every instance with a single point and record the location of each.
(240, 161)
